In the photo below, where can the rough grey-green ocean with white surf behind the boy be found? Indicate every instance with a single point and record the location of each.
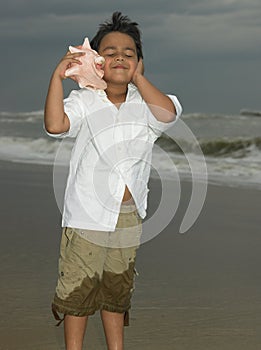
(230, 145)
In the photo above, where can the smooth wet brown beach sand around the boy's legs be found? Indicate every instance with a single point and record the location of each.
(200, 290)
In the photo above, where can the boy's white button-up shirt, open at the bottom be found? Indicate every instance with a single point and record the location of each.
(113, 149)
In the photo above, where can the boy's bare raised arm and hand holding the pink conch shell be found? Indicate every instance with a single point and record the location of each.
(55, 120)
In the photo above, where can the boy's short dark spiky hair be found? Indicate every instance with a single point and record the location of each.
(122, 24)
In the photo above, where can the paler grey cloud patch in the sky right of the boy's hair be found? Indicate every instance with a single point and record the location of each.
(208, 36)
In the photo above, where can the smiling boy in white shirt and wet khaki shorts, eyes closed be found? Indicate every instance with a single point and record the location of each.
(106, 189)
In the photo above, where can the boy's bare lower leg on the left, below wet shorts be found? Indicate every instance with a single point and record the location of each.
(74, 330)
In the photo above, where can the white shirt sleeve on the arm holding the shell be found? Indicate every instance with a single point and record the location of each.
(74, 110)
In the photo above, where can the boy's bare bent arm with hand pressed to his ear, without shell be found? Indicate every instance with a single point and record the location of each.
(153, 96)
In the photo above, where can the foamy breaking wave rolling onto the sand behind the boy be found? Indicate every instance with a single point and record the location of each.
(230, 169)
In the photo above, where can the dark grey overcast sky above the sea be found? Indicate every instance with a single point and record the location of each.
(207, 52)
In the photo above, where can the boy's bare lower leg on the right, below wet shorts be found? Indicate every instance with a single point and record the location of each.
(113, 324)
